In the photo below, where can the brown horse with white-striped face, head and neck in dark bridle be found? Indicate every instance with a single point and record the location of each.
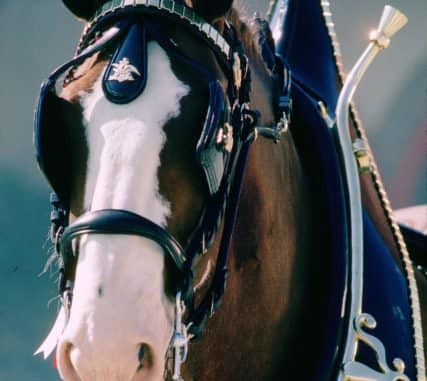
(145, 148)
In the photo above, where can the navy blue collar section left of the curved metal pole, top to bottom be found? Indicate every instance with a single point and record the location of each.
(306, 47)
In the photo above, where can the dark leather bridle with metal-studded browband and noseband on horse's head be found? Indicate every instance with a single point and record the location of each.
(222, 150)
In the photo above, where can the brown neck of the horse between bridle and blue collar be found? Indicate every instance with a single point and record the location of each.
(270, 299)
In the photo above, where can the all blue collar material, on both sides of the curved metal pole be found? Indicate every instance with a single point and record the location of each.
(307, 48)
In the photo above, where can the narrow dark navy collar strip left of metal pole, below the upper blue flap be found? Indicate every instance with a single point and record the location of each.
(315, 142)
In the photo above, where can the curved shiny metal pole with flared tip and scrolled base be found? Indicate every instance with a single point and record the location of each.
(391, 22)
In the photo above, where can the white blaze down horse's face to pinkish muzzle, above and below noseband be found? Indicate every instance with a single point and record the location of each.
(119, 299)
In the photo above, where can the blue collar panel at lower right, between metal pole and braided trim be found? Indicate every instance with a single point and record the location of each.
(385, 297)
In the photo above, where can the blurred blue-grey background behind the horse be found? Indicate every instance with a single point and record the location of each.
(36, 36)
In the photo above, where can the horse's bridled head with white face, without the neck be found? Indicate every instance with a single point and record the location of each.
(147, 175)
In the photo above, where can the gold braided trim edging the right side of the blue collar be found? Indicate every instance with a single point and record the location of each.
(385, 202)
